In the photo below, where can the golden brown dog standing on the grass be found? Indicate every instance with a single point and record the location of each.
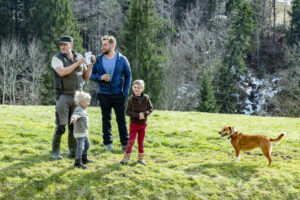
(243, 142)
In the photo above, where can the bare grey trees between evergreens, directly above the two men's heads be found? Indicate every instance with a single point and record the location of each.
(97, 18)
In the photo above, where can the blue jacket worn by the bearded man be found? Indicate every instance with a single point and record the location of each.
(116, 85)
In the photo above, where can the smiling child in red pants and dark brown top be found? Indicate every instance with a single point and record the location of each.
(138, 108)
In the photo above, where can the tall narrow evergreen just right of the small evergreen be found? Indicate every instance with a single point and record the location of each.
(233, 61)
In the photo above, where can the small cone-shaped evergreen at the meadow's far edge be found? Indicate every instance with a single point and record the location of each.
(207, 101)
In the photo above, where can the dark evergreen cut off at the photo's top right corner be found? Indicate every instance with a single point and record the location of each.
(293, 35)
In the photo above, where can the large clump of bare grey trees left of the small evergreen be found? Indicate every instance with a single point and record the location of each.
(197, 48)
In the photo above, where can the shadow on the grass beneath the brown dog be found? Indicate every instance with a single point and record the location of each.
(227, 169)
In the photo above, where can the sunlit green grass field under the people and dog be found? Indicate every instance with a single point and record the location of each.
(186, 159)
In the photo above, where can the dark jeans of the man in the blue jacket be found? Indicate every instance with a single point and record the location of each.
(117, 102)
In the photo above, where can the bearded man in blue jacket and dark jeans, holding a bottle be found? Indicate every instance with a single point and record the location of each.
(108, 71)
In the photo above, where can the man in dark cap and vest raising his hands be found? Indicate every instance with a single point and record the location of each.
(70, 71)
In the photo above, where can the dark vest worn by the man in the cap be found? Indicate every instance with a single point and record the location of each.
(67, 85)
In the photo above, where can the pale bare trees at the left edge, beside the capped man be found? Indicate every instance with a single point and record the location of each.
(21, 71)
